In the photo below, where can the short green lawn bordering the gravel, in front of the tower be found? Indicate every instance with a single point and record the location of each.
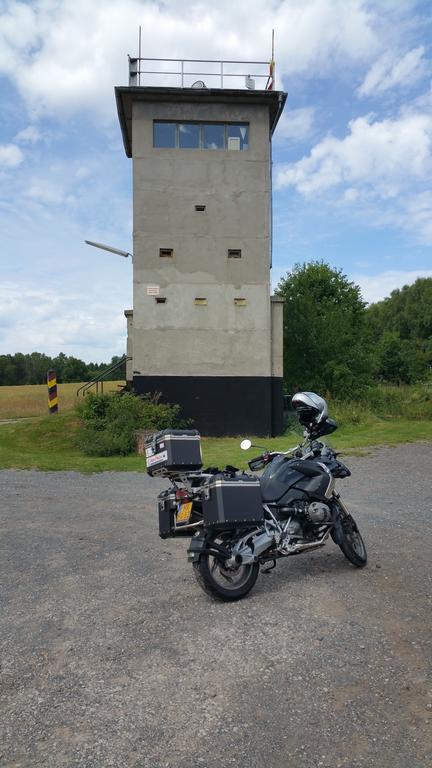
(48, 444)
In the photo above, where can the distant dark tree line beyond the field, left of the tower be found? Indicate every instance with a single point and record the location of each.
(32, 368)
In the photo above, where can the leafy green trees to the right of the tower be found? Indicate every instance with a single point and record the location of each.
(334, 343)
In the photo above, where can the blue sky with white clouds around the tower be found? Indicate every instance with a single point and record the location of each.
(352, 154)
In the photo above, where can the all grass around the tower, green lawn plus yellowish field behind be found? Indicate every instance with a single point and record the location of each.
(389, 416)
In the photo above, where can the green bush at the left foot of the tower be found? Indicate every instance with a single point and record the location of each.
(109, 422)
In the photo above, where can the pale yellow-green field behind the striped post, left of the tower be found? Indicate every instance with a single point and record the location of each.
(32, 399)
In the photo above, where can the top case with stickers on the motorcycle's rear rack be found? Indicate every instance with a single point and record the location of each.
(173, 451)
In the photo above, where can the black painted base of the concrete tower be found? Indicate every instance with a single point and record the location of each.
(222, 405)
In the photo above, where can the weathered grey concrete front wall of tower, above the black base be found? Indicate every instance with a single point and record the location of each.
(178, 337)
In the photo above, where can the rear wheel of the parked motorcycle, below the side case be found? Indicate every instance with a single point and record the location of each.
(224, 582)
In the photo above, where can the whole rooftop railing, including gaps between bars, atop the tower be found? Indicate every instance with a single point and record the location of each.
(187, 73)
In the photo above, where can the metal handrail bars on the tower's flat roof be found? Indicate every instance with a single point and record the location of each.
(135, 70)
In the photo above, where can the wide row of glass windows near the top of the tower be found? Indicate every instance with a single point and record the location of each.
(223, 136)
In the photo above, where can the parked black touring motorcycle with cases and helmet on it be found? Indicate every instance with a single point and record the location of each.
(240, 522)
